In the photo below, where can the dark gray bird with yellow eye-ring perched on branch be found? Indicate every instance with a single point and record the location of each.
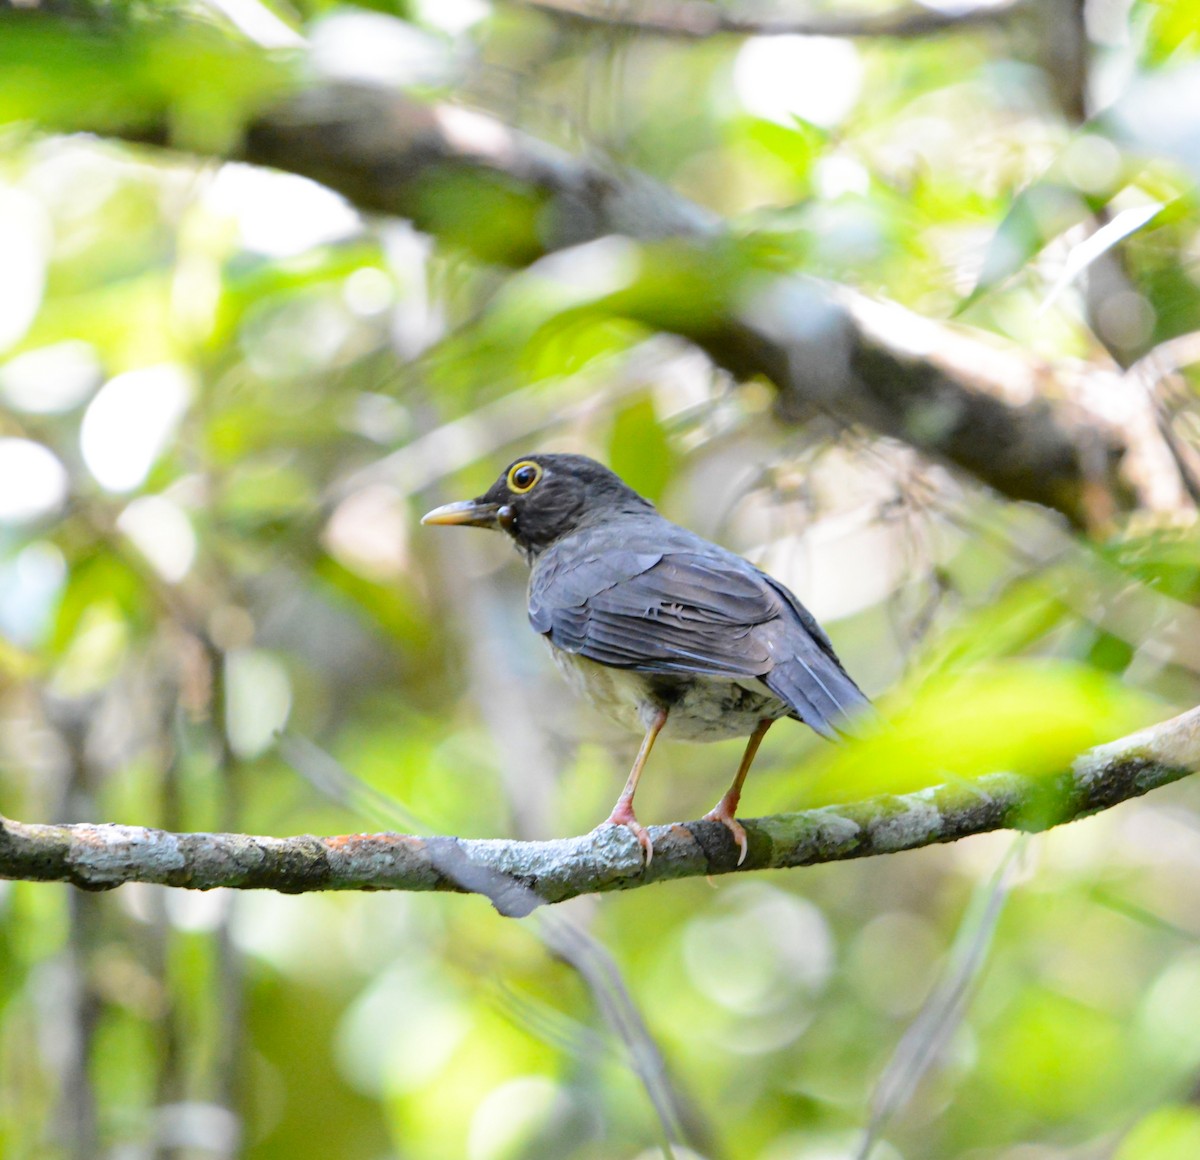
(657, 627)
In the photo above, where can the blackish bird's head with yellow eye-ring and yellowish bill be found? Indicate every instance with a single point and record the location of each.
(542, 498)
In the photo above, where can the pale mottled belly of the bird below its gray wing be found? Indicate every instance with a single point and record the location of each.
(699, 708)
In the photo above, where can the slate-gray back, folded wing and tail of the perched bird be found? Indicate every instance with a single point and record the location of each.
(704, 614)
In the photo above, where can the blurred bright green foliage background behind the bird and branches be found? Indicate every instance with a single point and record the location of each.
(225, 400)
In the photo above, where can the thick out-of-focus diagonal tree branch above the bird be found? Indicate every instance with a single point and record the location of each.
(1030, 430)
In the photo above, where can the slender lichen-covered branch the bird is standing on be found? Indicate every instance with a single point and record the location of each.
(520, 876)
